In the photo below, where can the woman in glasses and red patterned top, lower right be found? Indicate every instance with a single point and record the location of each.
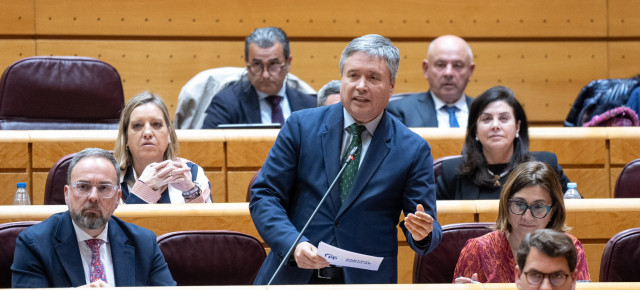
(531, 199)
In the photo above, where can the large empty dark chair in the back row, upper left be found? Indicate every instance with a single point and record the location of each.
(60, 93)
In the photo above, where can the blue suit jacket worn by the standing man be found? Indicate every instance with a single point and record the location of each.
(395, 175)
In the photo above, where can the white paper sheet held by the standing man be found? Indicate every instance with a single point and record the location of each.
(340, 257)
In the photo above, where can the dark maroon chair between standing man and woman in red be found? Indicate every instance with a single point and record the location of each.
(438, 266)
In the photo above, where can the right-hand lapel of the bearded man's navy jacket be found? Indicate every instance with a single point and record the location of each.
(122, 254)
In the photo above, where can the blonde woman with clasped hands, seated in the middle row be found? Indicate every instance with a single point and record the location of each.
(146, 149)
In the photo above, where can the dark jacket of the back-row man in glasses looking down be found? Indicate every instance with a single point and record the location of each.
(239, 104)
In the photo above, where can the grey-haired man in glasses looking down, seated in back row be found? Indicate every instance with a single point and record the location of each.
(264, 98)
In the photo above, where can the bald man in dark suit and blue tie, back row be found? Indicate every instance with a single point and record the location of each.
(447, 68)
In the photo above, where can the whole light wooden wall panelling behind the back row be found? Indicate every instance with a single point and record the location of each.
(546, 51)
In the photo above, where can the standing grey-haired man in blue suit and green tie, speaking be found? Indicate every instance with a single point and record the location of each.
(392, 171)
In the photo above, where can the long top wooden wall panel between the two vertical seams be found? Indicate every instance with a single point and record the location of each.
(405, 18)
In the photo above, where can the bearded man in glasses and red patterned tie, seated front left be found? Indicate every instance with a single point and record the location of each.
(86, 245)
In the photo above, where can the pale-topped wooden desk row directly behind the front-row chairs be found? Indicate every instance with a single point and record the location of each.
(593, 221)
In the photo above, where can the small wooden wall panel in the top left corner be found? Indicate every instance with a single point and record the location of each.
(17, 17)
